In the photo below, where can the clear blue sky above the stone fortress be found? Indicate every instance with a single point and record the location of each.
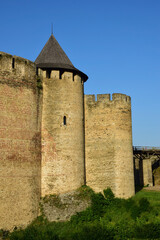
(115, 42)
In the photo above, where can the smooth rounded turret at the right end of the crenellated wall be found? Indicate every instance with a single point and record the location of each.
(124, 174)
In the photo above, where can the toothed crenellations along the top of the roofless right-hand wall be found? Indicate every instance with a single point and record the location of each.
(107, 98)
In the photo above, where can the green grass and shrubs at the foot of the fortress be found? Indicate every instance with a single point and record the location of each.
(107, 218)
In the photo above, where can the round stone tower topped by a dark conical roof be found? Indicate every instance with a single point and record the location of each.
(62, 164)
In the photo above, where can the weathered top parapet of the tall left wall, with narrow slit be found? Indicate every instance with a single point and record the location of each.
(17, 66)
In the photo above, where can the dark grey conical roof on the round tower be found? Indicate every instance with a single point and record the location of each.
(52, 56)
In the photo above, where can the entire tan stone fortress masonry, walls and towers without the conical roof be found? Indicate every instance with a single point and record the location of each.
(53, 139)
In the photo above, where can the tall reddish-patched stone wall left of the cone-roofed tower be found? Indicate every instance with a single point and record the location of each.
(19, 142)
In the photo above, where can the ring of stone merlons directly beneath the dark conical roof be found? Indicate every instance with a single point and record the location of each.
(59, 74)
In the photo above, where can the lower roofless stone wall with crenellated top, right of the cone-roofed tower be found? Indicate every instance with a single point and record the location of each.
(108, 144)
